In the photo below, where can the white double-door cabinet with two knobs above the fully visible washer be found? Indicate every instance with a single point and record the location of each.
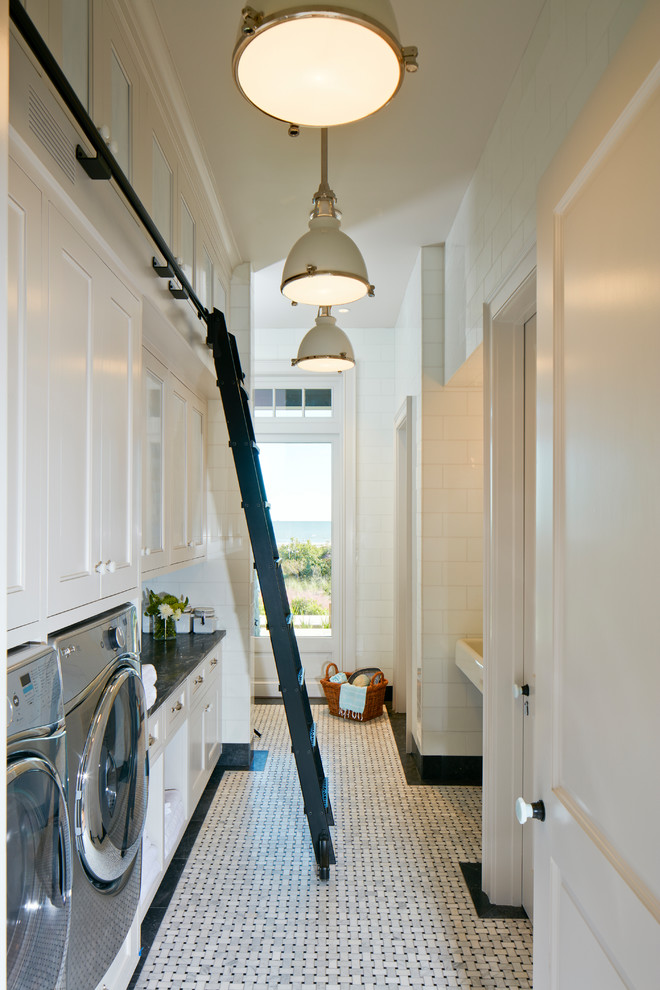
(94, 324)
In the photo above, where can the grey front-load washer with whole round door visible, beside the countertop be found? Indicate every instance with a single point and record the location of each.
(106, 726)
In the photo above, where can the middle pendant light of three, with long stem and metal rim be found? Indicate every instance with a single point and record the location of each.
(325, 267)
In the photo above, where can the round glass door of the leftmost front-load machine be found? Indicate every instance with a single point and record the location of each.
(38, 875)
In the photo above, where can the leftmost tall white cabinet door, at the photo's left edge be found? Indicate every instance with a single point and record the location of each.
(26, 401)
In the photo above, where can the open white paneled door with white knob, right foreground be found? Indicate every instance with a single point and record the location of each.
(597, 743)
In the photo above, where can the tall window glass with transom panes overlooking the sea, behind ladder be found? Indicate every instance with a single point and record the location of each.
(299, 432)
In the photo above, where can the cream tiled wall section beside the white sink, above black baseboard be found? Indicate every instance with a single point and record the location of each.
(451, 526)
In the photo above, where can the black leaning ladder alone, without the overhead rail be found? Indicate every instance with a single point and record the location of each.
(302, 727)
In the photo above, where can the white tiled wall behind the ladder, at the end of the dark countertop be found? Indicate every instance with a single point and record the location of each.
(224, 579)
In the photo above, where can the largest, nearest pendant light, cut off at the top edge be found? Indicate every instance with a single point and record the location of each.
(320, 64)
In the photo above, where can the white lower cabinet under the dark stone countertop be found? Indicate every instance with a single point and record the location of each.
(185, 741)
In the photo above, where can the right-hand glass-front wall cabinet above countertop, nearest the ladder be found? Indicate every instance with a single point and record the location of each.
(187, 449)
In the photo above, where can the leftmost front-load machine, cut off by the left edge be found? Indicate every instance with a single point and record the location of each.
(38, 844)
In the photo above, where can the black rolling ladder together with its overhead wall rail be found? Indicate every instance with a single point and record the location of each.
(103, 166)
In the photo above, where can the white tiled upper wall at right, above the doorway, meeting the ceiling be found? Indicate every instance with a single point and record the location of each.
(495, 227)
